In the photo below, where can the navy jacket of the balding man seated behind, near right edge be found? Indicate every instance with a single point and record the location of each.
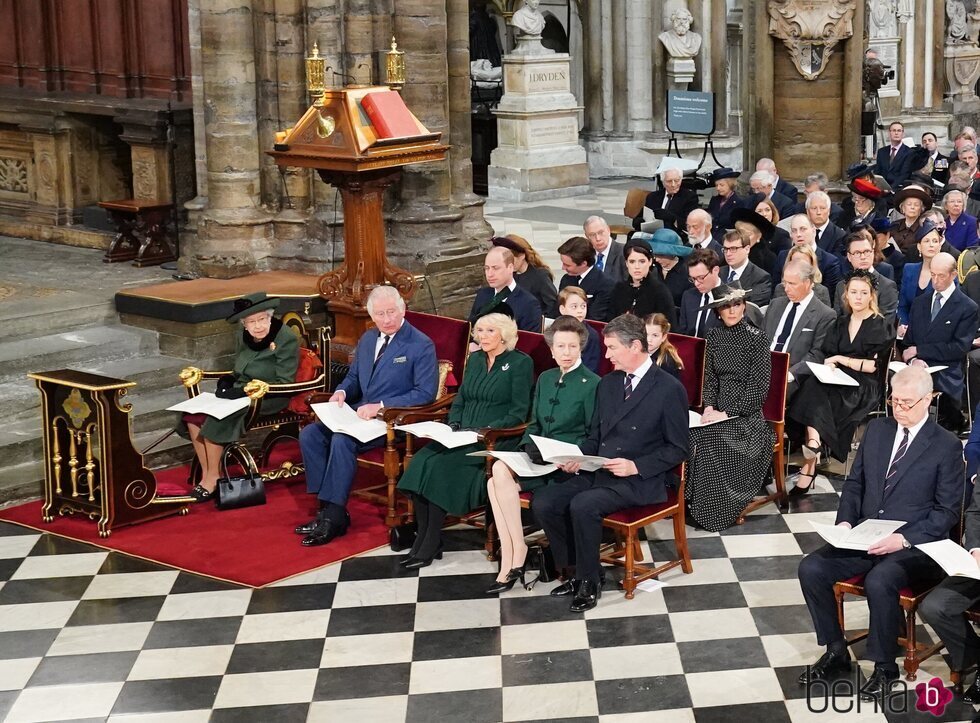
(945, 340)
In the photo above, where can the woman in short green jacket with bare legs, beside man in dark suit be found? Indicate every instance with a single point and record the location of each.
(564, 400)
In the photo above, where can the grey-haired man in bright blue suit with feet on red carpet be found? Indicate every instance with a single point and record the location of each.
(394, 366)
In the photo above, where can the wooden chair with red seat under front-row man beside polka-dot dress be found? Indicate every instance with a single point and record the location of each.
(627, 551)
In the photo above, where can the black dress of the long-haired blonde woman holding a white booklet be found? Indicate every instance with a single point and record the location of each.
(835, 411)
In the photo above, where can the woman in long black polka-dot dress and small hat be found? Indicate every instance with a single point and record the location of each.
(730, 460)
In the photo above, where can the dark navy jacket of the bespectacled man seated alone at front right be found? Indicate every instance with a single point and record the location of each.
(926, 491)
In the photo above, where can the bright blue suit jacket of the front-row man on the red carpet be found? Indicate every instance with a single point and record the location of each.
(406, 374)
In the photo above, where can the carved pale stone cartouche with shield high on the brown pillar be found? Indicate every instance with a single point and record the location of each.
(810, 29)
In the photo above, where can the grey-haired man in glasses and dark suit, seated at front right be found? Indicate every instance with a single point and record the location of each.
(907, 469)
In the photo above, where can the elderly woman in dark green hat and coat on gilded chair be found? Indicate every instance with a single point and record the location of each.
(266, 350)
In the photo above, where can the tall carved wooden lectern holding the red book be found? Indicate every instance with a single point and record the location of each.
(336, 138)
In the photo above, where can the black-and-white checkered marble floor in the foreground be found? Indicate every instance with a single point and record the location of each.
(87, 634)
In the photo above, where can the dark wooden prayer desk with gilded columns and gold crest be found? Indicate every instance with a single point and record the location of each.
(90, 465)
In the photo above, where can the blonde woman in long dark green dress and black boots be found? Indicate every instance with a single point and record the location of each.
(496, 392)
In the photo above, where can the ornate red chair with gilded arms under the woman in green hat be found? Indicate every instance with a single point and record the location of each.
(279, 426)
